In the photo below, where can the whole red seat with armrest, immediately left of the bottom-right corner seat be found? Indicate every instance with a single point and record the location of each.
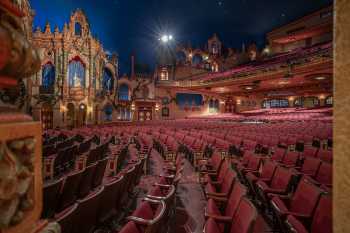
(301, 204)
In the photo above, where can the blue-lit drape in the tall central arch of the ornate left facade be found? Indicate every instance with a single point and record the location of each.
(76, 73)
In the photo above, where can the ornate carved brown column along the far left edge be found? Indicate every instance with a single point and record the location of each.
(20, 137)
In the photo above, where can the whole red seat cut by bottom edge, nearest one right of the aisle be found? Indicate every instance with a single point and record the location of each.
(242, 222)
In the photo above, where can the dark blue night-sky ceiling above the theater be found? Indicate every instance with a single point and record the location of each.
(133, 26)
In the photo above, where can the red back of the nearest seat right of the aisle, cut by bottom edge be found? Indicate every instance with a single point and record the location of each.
(244, 218)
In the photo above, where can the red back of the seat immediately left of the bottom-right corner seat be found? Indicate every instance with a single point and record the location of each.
(305, 198)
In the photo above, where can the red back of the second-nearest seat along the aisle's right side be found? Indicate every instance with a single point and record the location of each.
(238, 192)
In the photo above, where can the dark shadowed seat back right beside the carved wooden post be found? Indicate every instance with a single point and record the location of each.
(51, 193)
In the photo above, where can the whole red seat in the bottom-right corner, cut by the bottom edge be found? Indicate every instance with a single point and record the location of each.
(321, 221)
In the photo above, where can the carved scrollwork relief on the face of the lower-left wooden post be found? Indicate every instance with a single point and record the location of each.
(16, 178)
